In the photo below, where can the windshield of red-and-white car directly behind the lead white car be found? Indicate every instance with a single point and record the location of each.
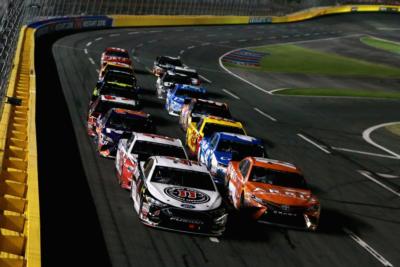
(147, 149)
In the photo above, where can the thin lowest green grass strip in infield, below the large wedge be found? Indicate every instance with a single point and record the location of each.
(338, 92)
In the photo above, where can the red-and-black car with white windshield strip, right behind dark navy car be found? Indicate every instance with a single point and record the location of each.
(104, 103)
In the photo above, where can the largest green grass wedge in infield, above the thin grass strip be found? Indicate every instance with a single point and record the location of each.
(289, 58)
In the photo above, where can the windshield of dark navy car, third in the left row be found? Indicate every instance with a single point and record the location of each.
(130, 123)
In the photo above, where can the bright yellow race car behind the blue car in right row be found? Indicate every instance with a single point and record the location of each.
(206, 127)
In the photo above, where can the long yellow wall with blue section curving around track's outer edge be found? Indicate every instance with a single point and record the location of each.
(19, 192)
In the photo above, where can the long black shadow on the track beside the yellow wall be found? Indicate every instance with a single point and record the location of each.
(70, 230)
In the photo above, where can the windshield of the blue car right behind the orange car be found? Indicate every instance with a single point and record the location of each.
(240, 150)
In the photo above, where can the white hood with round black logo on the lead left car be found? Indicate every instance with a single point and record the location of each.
(185, 197)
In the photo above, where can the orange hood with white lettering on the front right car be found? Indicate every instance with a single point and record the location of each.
(280, 195)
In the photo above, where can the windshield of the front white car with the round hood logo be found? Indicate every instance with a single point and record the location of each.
(181, 177)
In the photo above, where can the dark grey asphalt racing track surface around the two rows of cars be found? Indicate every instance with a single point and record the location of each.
(92, 219)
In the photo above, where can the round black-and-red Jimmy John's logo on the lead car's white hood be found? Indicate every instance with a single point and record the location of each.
(186, 195)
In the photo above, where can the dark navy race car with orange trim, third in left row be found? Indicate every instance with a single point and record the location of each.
(119, 123)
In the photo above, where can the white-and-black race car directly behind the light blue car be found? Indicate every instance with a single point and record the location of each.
(168, 80)
